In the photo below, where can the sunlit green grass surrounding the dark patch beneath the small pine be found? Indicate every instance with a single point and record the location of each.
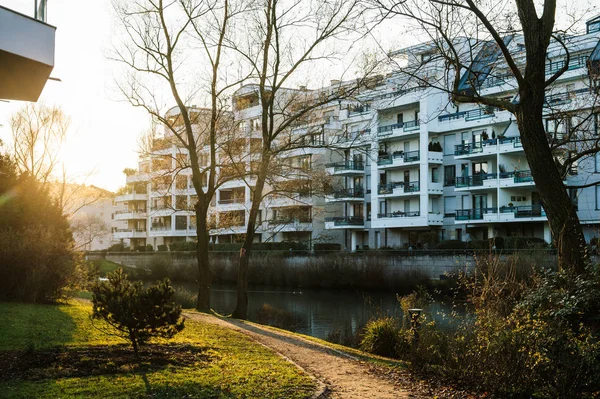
(239, 368)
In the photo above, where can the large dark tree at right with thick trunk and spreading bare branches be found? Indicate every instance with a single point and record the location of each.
(468, 41)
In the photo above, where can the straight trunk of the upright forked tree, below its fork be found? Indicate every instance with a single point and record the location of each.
(204, 273)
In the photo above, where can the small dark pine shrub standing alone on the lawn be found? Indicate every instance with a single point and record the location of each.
(137, 314)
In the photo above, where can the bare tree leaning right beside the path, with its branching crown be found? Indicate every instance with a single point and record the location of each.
(285, 39)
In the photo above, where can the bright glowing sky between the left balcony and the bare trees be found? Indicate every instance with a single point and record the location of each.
(104, 130)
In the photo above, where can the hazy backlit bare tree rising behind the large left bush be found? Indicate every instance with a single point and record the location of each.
(38, 132)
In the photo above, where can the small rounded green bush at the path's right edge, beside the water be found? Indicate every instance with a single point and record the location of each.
(381, 337)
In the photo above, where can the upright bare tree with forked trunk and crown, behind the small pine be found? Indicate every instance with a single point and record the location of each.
(166, 42)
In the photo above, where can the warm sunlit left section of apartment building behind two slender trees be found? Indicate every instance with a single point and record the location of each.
(158, 197)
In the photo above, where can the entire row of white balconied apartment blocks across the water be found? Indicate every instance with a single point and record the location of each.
(403, 162)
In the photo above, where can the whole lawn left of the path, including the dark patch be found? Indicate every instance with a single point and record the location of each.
(60, 354)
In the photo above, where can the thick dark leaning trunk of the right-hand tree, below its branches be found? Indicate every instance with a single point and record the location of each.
(564, 223)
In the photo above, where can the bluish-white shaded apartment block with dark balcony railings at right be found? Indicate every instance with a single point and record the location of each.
(417, 164)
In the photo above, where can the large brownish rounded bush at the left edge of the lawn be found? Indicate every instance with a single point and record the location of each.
(37, 261)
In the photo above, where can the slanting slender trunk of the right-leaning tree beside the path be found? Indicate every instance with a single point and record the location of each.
(241, 307)
